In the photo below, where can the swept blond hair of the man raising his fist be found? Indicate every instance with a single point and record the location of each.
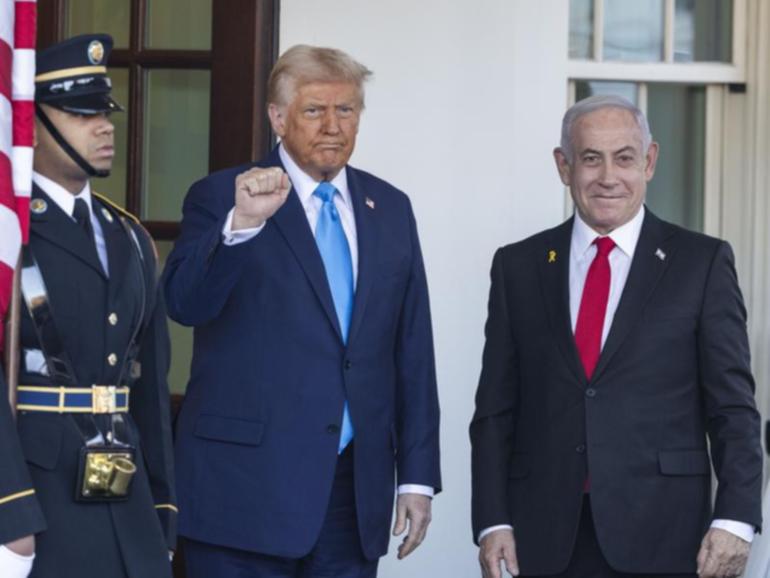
(303, 64)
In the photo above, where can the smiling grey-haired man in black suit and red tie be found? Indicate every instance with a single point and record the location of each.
(615, 371)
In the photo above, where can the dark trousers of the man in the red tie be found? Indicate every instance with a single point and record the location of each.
(587, 560)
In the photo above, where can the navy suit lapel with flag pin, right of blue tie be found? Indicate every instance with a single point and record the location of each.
(366, 231)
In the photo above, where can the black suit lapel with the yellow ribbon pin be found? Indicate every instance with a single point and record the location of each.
(554, 275)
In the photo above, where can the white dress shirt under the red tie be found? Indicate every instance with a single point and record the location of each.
(581, 254)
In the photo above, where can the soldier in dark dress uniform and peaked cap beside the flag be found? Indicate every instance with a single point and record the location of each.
(93, 402)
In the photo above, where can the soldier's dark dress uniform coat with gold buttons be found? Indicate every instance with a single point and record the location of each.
(96, 316)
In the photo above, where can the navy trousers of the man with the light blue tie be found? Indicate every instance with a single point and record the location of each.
(336, 554)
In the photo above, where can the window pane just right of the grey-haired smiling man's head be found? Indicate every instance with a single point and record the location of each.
(677, 115)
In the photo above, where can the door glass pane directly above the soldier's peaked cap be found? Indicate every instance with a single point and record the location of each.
(90, 16)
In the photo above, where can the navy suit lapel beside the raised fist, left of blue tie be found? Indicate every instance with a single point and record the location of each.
(291, 222)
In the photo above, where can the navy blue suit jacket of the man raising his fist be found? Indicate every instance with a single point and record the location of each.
(258, 432)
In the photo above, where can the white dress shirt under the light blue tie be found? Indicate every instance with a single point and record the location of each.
(304, 185)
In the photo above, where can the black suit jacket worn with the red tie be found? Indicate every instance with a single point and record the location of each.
(673, 376)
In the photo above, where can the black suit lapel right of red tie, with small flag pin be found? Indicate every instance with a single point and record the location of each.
(646, 270)
